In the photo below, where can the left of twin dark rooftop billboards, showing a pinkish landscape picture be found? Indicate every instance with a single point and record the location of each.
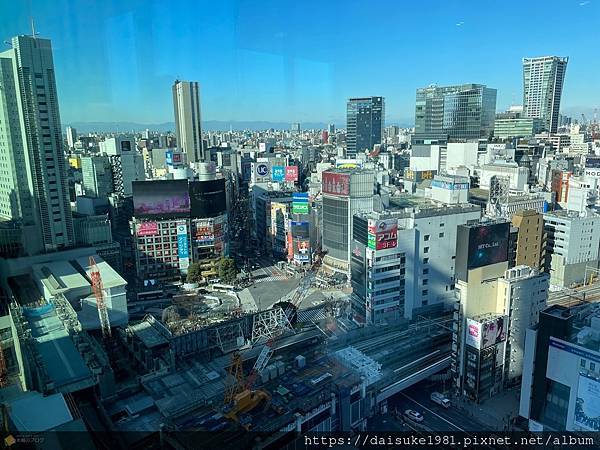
(164, 198)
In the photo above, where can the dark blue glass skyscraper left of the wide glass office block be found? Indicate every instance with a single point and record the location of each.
(365, 119)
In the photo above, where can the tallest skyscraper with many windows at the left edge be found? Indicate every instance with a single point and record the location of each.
(32, 163)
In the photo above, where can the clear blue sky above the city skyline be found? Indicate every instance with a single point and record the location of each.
(280, 60)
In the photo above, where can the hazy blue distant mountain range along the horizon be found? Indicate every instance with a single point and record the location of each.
(209, 125)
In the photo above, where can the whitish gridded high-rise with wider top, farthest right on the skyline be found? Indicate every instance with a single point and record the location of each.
(543, 80)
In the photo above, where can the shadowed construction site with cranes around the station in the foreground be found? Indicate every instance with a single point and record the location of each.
(206, 364)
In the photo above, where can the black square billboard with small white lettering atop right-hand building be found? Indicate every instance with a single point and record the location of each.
(488, 244)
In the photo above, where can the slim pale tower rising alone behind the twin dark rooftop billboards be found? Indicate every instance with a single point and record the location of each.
(186, 104)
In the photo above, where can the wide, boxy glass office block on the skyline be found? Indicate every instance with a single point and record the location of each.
(459, 112)
